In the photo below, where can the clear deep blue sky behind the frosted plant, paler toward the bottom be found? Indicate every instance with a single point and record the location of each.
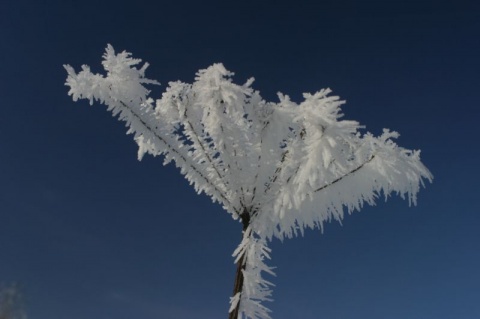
(91, 233)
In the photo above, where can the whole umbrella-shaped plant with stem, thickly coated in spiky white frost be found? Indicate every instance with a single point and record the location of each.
(277, 167)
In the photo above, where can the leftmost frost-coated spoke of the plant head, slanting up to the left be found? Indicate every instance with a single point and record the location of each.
(123, 92)
